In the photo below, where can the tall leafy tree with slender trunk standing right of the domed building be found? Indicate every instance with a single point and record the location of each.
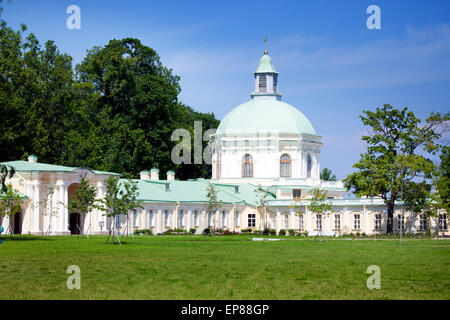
(393, 157)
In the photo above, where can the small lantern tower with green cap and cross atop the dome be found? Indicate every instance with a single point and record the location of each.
(266, 79)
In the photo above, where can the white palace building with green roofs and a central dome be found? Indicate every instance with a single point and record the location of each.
(262, 142)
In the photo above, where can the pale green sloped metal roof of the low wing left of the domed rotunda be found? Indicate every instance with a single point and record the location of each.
(194, 192)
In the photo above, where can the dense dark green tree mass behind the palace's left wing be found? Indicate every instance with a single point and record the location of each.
(116, 112)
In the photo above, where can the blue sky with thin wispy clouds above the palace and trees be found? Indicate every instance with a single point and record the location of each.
(331, 65)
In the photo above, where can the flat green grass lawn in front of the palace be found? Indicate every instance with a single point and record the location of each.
(227, 267)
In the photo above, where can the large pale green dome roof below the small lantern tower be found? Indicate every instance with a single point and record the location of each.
(264, 116)
